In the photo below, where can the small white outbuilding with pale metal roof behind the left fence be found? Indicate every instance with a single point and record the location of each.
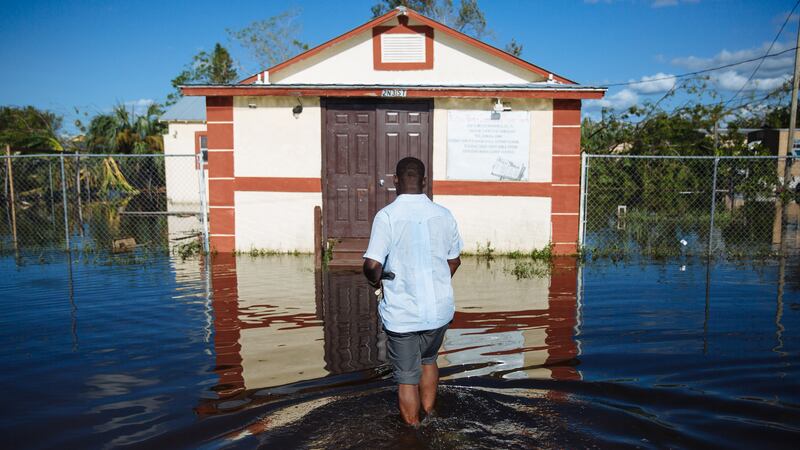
(186, 135)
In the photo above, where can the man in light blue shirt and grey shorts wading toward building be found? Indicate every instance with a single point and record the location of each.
(413, 253)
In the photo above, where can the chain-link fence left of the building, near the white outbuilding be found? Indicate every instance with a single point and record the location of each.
(101, 204)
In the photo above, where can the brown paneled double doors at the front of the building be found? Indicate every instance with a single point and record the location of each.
(363, 142)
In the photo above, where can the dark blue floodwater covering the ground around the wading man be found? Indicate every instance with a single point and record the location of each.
(263, 351)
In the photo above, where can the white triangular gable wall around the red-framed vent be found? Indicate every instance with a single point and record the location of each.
(454, 62)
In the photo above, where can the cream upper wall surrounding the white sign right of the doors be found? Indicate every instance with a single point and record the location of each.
(541, 144)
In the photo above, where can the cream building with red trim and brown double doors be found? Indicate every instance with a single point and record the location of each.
(500, 138)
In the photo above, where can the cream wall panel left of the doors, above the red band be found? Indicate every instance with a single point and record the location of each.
(271, 142)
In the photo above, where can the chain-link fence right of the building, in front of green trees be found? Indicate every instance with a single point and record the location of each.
(686, 206)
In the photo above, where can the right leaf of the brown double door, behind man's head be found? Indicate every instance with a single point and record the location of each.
(403, 130)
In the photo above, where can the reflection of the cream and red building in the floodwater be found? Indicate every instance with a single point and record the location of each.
(280, 327)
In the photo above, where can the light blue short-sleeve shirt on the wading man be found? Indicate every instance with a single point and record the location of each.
(414, 237)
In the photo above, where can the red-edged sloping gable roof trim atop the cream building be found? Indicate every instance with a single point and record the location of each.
(402, 11)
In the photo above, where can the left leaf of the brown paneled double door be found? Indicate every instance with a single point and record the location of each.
(349, 167)
